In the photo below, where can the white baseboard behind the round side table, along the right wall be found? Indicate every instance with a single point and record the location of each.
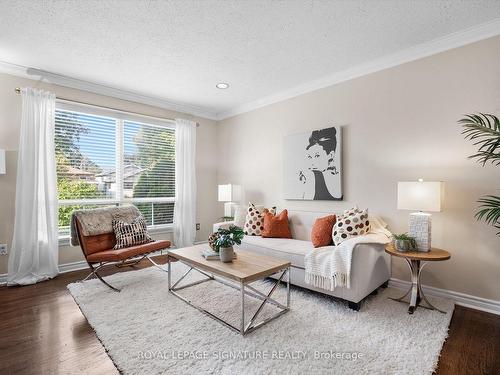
(461, 299)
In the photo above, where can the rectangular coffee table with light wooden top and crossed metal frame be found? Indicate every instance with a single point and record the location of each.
(239, 274)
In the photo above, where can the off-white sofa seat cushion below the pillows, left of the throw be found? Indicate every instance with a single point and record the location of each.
(281, 248)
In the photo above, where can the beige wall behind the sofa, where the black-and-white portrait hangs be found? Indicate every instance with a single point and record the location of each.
(399, 124)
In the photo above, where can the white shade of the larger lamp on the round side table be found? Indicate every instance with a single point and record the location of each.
(421, 196)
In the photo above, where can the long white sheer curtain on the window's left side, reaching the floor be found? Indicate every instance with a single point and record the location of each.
(34, 253)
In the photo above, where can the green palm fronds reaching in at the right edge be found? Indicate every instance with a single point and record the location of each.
(484, 130)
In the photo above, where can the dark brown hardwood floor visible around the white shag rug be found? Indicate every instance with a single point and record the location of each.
(42, 331)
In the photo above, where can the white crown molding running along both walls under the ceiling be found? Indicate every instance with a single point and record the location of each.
(454, 40)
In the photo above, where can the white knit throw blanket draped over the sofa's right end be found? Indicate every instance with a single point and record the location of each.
(329, 267)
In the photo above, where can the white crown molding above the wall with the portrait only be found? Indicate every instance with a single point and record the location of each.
(450, 41)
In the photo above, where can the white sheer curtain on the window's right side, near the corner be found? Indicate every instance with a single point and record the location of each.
(185, 178)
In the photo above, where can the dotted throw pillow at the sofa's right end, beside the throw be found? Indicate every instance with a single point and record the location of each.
(351, 223)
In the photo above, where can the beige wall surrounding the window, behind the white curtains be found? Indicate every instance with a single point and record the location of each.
(10, 119)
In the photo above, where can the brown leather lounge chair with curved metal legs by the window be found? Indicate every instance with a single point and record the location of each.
(98, 251)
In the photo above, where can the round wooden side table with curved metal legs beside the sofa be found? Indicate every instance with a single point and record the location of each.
(416, 261)
